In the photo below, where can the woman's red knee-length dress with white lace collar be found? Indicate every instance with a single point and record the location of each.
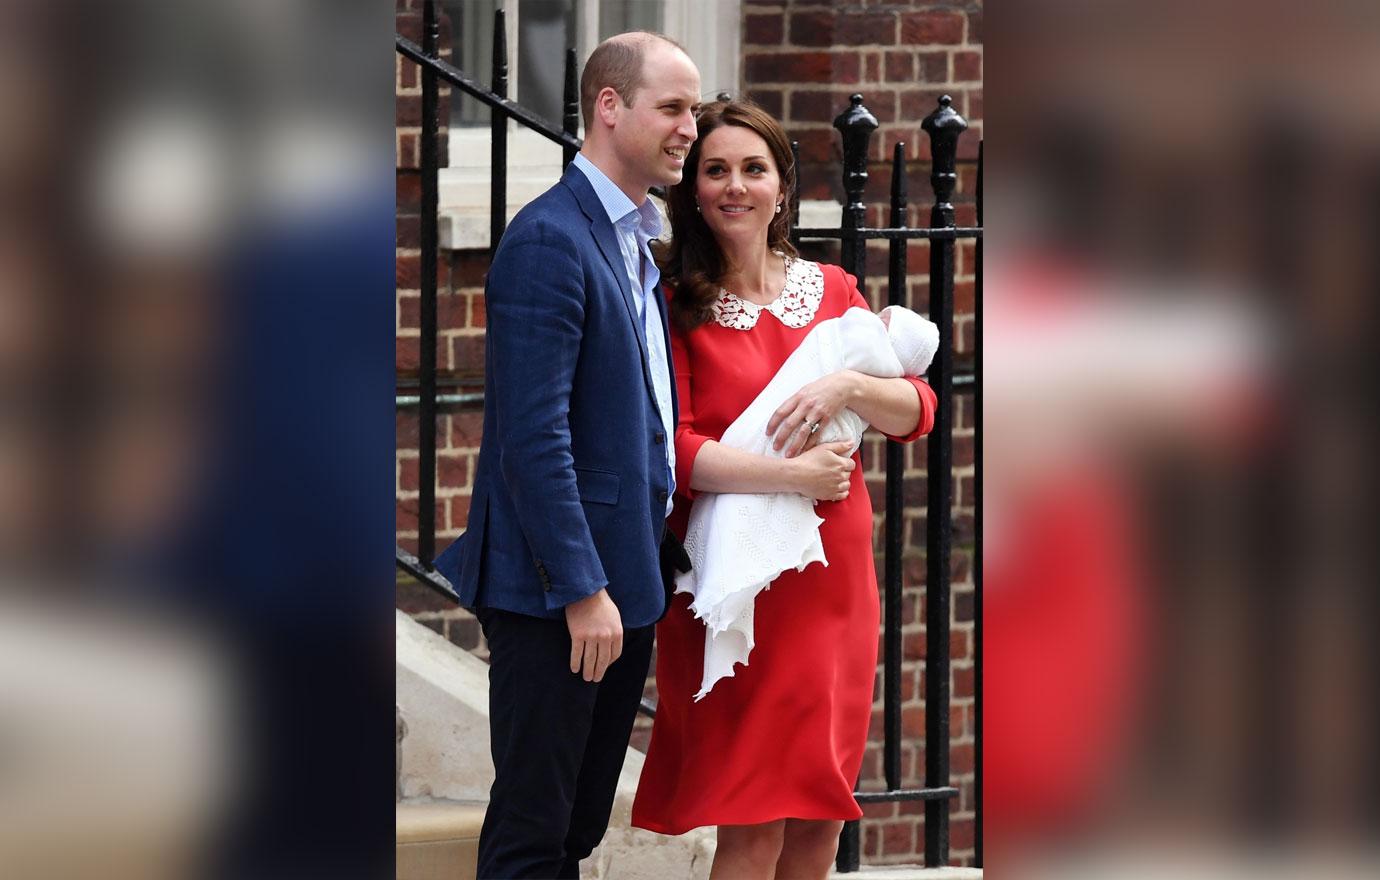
(785, 737)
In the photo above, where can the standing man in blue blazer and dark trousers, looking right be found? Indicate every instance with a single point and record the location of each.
(576, 467)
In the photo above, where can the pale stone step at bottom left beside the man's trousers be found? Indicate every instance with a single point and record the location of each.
(438, 839)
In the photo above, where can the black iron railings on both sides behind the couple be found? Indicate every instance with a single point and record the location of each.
(856, 126)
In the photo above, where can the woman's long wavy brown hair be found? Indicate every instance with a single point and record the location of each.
(692, 266)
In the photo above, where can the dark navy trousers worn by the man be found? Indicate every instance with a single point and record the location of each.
(558, 746)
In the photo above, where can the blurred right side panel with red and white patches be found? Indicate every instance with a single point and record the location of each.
(1179, 438)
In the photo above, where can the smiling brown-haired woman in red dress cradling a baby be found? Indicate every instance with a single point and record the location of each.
(772, 754)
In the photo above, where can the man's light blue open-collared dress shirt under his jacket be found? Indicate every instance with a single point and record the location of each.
(635, 228)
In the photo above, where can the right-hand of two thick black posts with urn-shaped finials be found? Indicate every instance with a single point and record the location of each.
(943, 126)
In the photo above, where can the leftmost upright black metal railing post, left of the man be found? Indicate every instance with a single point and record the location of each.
(427, 346)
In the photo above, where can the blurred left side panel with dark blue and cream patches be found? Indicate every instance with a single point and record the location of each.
(197, 479)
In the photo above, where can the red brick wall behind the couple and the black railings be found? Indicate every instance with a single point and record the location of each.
(802, 61)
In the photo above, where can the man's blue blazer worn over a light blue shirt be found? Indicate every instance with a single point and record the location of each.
(571, 492)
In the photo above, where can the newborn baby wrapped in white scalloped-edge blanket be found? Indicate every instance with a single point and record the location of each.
(740, 543)
